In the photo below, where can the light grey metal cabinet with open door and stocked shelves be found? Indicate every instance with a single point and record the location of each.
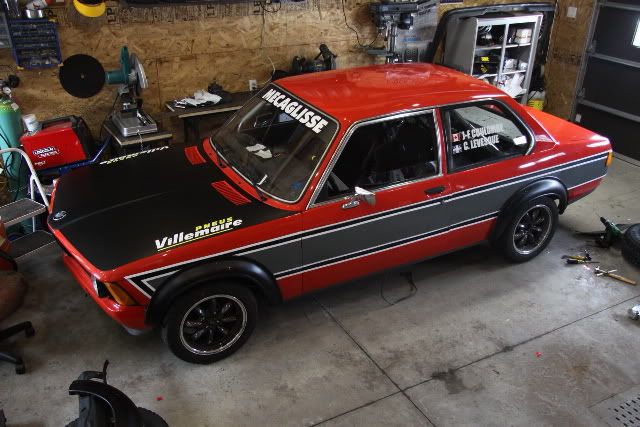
(464, 51)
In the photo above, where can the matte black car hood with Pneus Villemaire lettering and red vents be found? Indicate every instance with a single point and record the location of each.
(135, 206)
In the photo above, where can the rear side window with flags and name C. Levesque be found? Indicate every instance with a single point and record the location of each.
(482, 133)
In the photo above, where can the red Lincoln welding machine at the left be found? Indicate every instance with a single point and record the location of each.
(60, 141)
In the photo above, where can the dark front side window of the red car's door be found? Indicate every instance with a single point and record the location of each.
(385, 153)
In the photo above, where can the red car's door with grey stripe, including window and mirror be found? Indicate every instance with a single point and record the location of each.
(377, 203)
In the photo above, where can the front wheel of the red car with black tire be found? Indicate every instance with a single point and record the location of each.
(205, 341)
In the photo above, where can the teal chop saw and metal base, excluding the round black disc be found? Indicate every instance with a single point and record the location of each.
(128, 116)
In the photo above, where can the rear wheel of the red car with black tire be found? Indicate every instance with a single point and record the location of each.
(537, 235)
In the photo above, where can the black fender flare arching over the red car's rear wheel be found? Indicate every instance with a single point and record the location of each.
(549, 187)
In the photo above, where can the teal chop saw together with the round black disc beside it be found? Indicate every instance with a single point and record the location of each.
(83, 76)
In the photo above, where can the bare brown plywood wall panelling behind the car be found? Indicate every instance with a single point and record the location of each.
(186, 48)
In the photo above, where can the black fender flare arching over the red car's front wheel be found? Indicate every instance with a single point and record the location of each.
(244, 270)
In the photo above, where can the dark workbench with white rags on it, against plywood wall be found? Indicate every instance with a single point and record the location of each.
(191, 116)
